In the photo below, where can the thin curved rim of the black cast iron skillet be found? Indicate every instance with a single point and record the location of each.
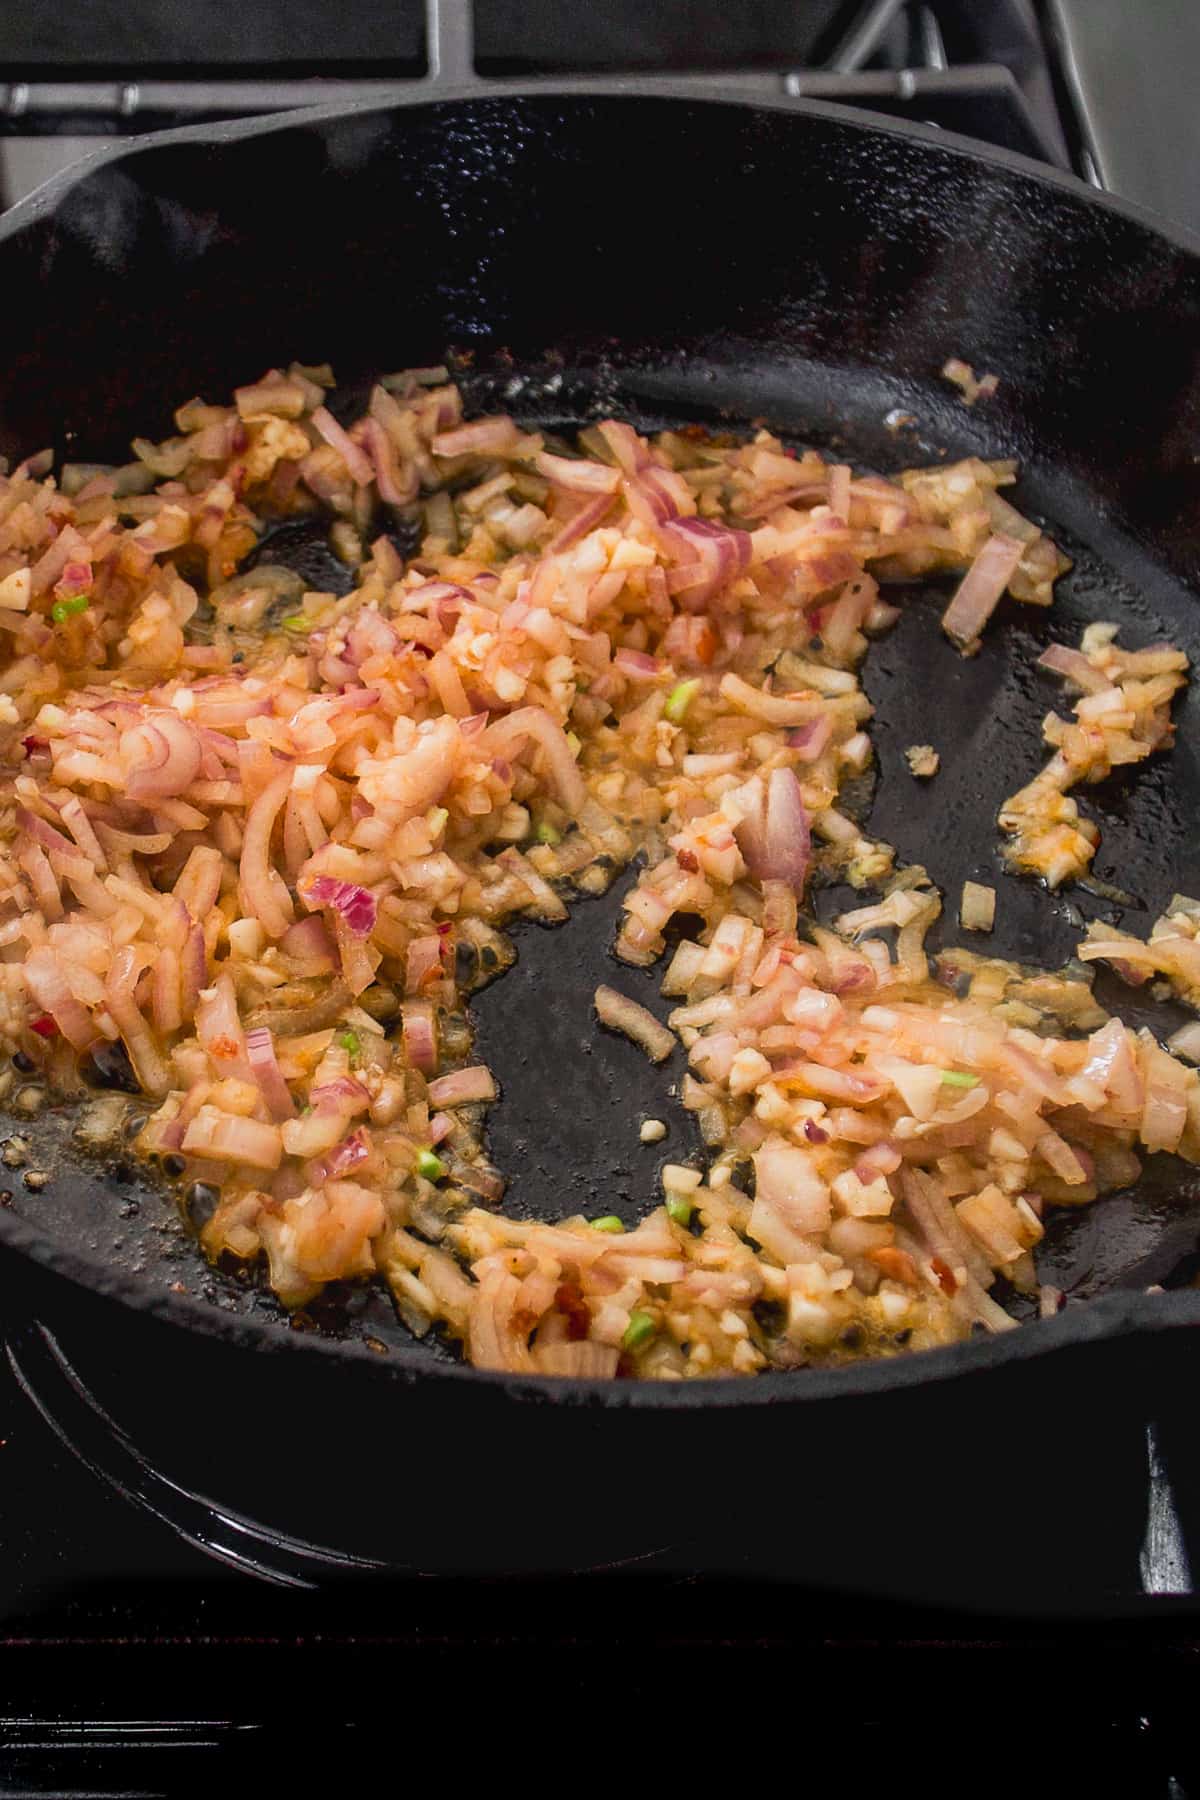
(1124, 1315)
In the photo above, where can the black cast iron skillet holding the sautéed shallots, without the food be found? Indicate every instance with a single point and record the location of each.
(578, 253)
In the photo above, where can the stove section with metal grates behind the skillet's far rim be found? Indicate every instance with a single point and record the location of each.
(1088, 85)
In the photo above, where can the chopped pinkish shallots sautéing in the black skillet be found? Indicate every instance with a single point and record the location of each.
(264, 841)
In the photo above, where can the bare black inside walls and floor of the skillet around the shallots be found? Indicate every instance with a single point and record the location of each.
(791, 267)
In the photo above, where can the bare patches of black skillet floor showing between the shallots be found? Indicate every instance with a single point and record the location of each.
(573, 1097)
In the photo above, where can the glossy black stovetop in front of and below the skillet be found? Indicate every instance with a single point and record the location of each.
(145, 1630)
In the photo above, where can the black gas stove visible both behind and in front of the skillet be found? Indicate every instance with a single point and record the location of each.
(166, 1592)
